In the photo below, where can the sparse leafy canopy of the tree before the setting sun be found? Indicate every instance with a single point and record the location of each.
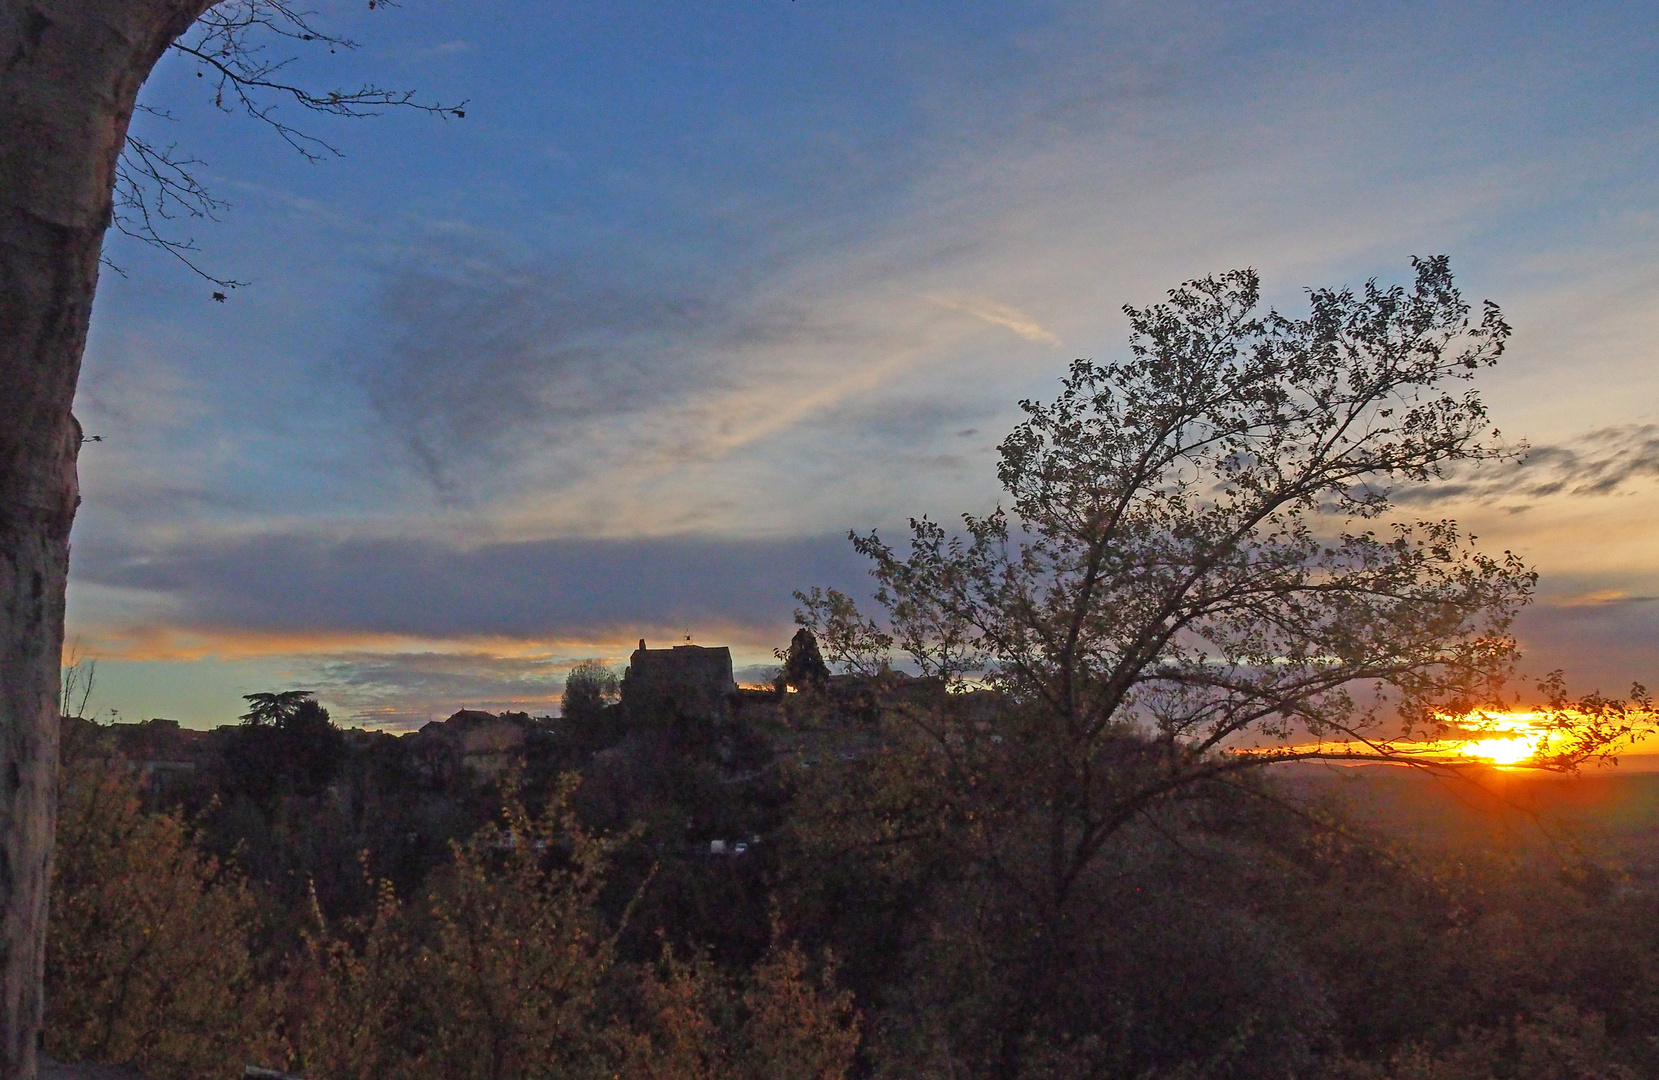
(1202, 540)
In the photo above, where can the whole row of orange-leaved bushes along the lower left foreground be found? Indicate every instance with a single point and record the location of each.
(504, 971)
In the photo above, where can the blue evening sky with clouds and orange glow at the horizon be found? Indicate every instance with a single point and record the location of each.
(698, 288)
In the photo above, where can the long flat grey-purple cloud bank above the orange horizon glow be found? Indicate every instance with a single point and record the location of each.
(573, 590)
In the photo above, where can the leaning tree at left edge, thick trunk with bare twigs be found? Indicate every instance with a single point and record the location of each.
(69, 168)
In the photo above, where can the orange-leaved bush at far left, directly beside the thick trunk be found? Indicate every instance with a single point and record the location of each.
(148, 950)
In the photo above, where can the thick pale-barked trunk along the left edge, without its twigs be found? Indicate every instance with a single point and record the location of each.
(69, 77)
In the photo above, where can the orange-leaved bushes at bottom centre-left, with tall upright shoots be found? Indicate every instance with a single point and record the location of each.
(508, 973)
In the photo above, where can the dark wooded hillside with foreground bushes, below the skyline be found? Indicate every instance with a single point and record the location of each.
(356, 905)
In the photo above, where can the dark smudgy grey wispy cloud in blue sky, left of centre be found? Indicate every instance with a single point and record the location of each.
(477, 358)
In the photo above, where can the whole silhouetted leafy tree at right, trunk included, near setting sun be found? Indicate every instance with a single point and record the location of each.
(1202, 545)
